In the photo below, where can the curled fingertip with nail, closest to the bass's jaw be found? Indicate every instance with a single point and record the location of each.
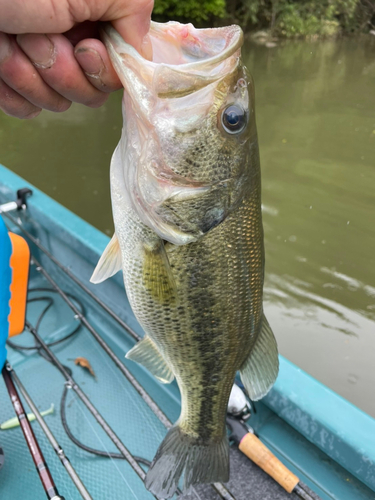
(94, 60)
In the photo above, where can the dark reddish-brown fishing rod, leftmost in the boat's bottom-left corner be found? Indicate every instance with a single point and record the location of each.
(32, 443)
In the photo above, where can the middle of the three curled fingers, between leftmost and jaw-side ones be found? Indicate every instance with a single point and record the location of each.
(61, 72)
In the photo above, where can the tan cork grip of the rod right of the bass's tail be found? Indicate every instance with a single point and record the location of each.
(254, 449)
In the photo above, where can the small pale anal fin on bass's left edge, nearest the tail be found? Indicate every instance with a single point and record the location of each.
(147, 354)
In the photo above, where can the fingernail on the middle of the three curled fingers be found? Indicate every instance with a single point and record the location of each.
(39, 49)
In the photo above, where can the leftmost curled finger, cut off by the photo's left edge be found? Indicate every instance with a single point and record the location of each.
(19, 74)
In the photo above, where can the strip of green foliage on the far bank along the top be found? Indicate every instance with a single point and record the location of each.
(289, 18)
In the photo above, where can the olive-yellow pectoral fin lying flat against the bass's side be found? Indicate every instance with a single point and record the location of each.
(157, 274)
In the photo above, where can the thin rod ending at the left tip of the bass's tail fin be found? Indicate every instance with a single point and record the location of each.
(71, 384)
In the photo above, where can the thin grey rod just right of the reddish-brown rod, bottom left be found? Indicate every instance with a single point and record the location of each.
(51, 438)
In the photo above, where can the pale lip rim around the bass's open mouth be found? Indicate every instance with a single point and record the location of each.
(115, 42)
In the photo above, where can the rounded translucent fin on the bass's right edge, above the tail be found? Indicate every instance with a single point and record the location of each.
(260, 370)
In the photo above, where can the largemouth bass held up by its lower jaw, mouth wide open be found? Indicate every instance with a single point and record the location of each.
(185, 186)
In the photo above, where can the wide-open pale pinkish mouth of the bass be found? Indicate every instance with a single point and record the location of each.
(184, 58)
